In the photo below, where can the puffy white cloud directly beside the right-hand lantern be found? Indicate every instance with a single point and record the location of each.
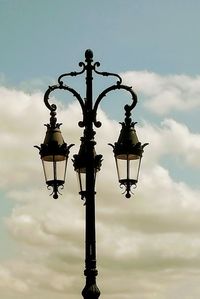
(171, 138)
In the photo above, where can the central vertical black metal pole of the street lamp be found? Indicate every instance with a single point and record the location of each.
(90, 291)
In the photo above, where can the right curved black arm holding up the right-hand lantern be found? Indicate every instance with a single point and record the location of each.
(127, 107)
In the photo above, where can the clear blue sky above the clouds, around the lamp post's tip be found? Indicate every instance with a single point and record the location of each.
(41, 38)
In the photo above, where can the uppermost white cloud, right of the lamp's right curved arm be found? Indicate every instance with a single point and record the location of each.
(164, 94)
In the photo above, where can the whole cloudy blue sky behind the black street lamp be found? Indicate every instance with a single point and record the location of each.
(148, 247)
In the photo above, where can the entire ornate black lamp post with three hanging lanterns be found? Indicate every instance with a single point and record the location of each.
(54, 154)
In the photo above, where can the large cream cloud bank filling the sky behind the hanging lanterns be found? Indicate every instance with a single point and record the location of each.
(151, 239)
